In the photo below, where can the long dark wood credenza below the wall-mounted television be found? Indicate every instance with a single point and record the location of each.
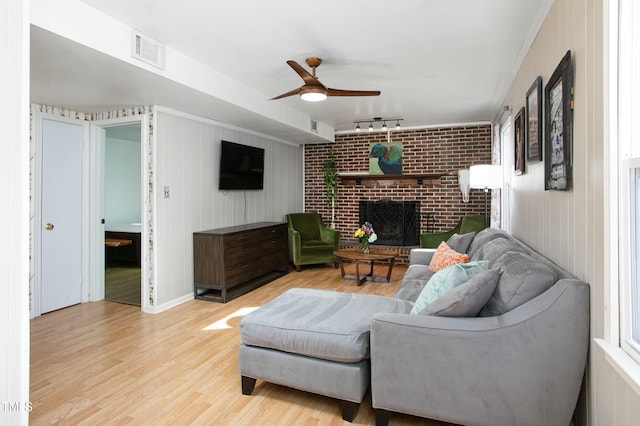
(229, 262)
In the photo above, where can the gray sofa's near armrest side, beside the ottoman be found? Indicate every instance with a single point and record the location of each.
(523, 367)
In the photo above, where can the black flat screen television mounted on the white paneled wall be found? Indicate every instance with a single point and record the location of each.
(241, 166)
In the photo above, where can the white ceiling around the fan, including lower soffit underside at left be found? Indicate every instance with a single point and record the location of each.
(435, 61)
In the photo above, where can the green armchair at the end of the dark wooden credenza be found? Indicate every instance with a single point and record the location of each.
(310, 242)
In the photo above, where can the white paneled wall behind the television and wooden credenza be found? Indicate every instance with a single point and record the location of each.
(187, 151)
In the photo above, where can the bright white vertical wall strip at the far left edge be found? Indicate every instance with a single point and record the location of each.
(14, 213)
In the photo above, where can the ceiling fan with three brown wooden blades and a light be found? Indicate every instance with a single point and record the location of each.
(313, 90)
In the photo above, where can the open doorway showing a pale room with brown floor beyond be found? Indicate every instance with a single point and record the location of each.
(123, 213)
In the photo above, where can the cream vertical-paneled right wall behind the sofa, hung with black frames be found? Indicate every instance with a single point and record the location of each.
(569, 227)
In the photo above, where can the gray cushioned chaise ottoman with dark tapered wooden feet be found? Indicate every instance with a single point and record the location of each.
(313, 340)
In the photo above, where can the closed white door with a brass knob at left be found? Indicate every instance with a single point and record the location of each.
(61, 215)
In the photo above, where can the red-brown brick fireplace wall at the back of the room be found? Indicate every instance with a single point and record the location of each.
(433, 151)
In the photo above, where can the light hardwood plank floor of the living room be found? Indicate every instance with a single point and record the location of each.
(109, 363)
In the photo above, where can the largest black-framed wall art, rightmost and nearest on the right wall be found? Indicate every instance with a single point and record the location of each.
(558, 103)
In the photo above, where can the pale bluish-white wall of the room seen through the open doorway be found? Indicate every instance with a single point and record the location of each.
(122, 174)
